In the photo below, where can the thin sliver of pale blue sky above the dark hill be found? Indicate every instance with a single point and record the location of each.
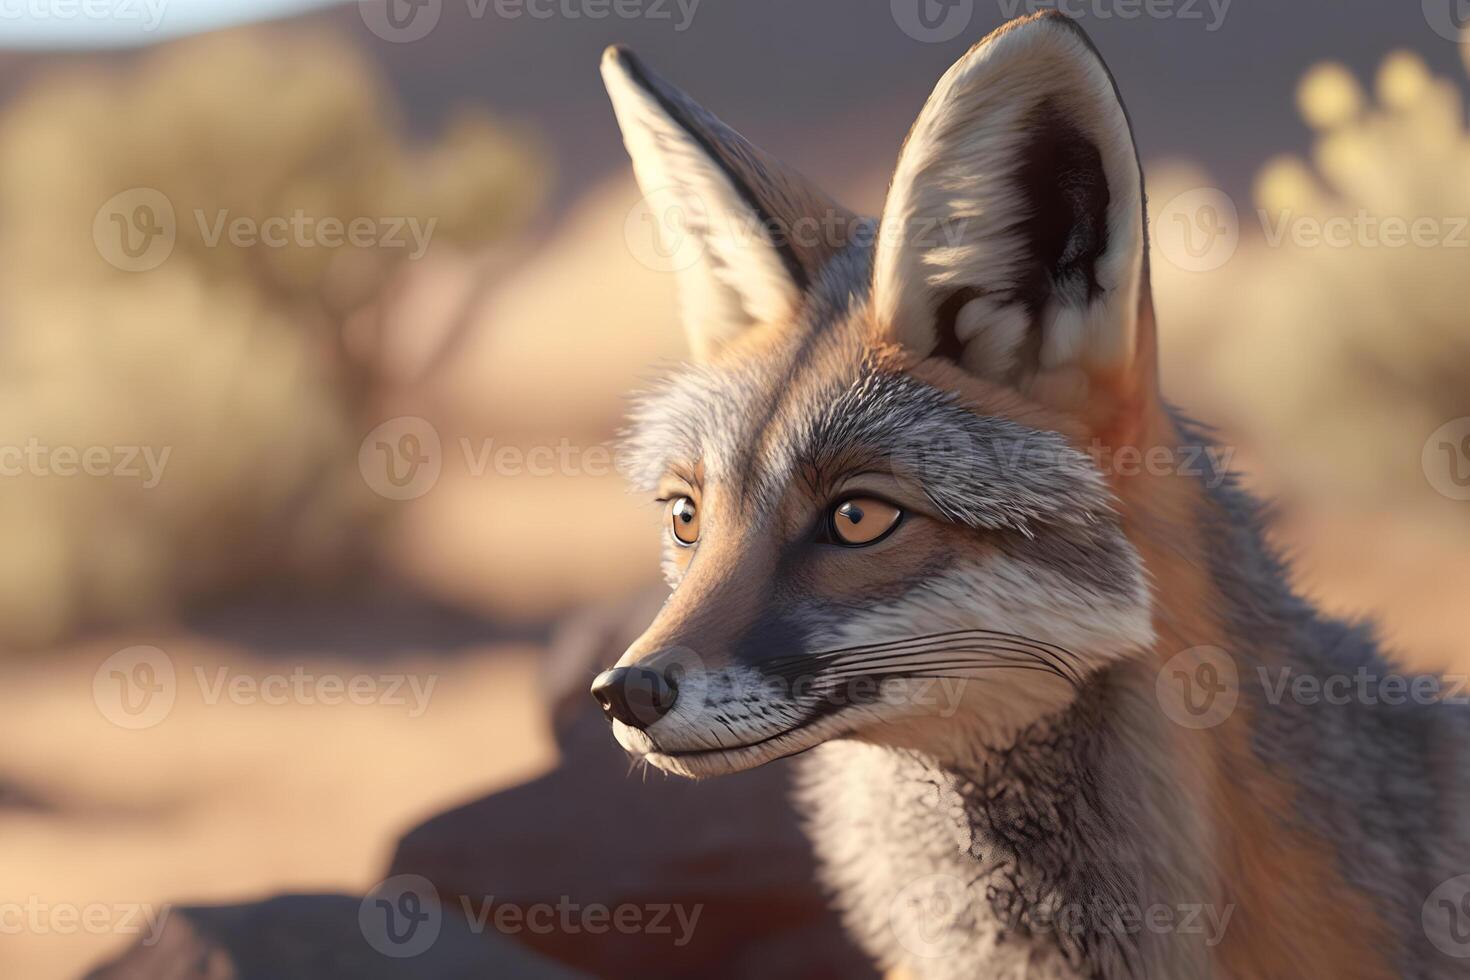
(71, 24)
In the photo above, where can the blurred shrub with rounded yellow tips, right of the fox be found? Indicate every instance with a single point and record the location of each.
(1337, 358)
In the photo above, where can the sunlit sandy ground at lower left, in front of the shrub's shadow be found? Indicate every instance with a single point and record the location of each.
(232, 796)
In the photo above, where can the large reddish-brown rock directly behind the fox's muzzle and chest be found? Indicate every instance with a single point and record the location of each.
(728, 856)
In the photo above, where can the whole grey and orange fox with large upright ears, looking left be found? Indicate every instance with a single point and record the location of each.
(1055, 713)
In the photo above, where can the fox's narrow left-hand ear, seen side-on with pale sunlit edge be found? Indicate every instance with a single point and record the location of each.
(758, 233)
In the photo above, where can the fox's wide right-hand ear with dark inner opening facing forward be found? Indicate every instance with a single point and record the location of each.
(1014, 231)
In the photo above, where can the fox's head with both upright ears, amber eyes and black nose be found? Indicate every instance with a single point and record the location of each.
(886, 518)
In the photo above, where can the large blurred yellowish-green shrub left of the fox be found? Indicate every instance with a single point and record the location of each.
(229, 355)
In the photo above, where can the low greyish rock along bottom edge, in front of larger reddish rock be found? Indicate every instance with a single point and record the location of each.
(315, 938)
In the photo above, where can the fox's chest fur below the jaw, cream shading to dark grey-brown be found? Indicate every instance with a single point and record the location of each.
(1014, 863)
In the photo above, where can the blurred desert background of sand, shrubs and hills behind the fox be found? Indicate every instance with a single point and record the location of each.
(267, 380)
